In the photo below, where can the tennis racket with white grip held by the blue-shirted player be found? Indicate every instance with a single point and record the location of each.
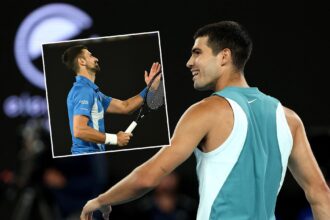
(153, 100)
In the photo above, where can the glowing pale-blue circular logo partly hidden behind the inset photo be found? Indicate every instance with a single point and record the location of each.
(49, 23)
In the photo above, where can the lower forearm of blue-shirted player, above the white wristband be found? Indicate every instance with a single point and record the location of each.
(89, 134)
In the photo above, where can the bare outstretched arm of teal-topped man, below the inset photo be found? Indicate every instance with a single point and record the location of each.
(190, 130)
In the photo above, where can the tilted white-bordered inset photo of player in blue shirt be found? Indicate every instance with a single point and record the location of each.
(106, 94)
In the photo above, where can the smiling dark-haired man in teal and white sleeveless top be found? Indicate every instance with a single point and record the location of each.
(243, 140)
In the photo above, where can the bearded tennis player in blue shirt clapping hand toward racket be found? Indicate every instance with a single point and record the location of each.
(87, 104)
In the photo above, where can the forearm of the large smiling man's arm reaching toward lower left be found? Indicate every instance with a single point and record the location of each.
(130, 188)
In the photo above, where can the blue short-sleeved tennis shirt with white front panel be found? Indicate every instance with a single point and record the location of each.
(86, 99)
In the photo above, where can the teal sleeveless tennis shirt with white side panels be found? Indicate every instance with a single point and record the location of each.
(240, 179)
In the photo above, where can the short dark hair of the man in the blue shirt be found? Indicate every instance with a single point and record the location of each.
(70, 56)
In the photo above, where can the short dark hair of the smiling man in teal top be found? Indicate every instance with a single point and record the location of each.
(231, 35)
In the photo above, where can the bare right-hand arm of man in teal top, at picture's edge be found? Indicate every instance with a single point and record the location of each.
(306, 171)
